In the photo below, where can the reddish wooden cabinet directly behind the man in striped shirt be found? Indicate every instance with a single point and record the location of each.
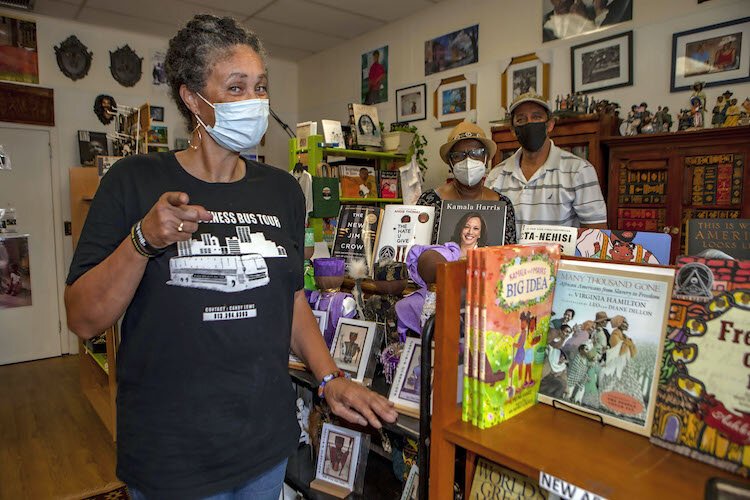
(581, 135)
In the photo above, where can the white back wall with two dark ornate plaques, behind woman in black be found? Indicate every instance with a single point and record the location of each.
(74, 102)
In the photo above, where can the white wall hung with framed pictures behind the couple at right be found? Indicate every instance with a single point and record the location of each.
(507, 28)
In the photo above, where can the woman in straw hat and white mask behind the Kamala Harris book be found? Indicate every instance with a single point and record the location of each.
(467, 152)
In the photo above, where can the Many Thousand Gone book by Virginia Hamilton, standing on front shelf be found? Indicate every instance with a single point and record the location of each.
(605, 339)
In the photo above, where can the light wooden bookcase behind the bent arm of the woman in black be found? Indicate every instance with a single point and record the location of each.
(97, 371)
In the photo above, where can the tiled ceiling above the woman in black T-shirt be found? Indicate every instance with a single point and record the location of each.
(291, 29)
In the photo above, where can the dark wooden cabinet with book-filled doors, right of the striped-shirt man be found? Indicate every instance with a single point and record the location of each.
(659, 181)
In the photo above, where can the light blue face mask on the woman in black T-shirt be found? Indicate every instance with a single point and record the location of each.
(239, 125)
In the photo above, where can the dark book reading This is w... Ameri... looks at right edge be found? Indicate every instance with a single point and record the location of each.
(730, 236)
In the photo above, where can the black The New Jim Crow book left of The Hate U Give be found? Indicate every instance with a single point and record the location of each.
(356, 234)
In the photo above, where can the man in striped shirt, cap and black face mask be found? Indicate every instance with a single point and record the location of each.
(546, 184)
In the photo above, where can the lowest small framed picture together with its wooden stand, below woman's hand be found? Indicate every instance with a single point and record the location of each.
(341, 461)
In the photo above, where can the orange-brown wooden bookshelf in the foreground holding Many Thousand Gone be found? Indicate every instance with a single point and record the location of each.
(602, 459)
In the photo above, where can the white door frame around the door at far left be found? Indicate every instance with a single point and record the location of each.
(68, 341)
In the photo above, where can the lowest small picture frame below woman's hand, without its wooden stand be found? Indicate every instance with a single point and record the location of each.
(338, 456)
